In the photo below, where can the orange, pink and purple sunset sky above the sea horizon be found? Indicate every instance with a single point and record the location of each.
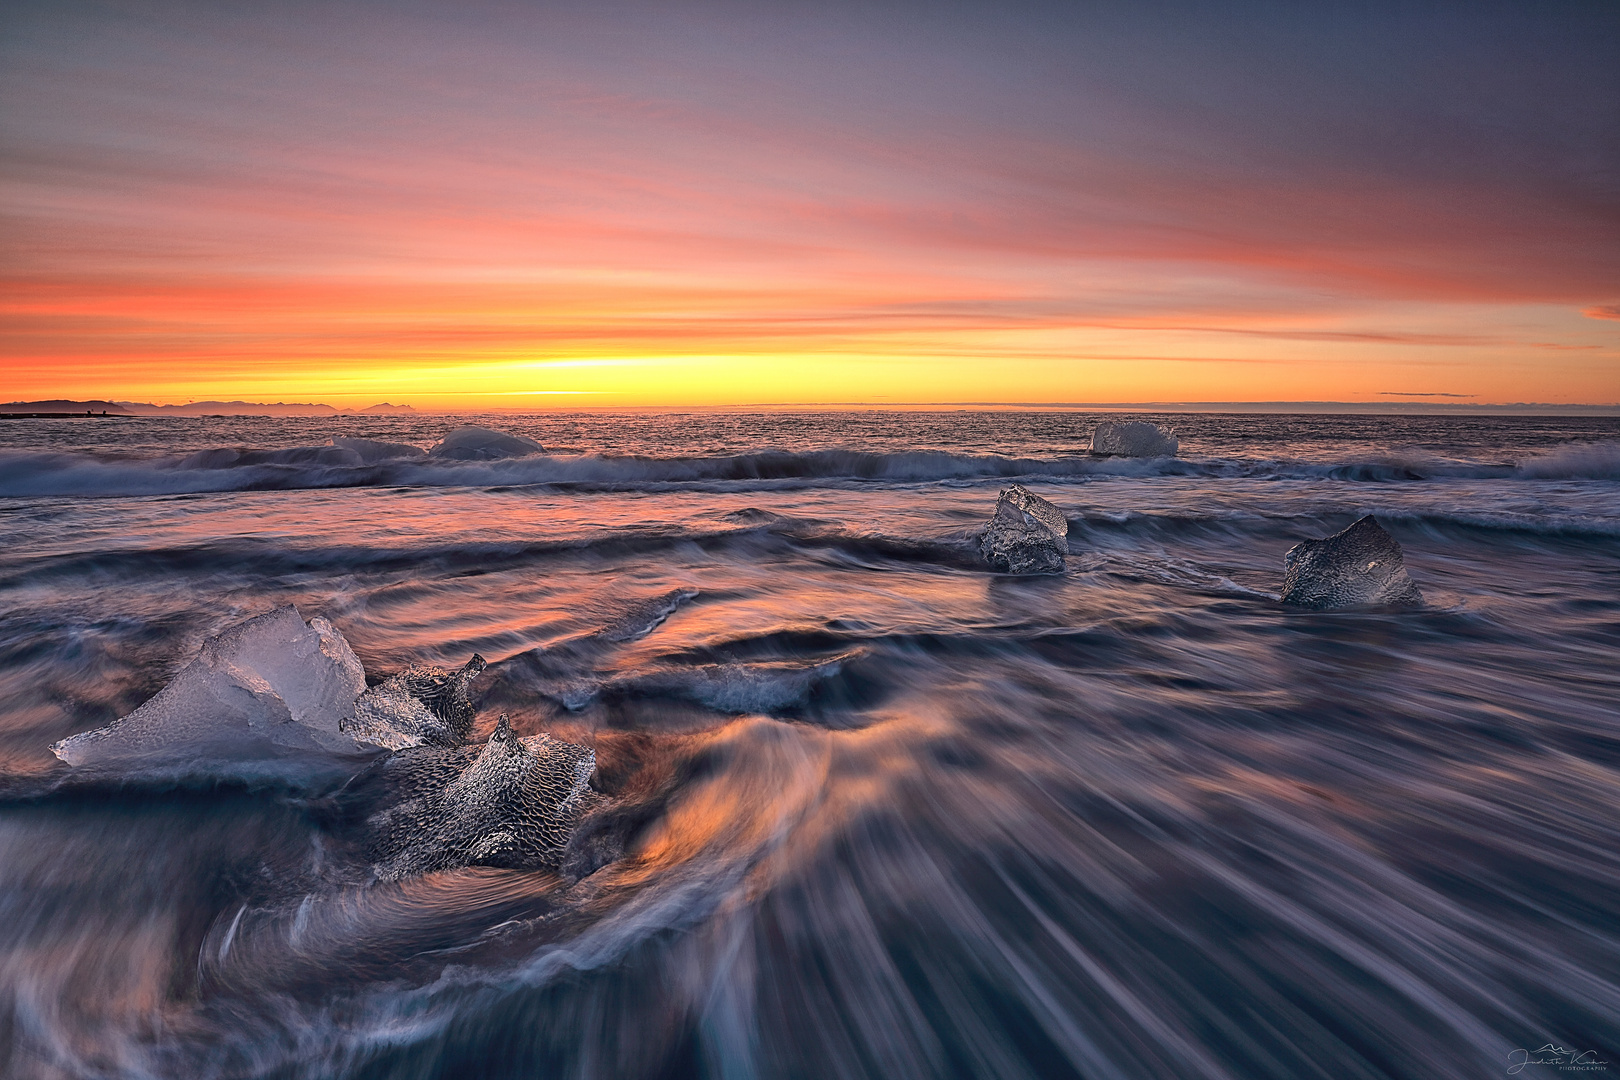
(542, 205)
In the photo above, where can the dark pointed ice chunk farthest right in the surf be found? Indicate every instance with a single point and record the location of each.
(1358, 568)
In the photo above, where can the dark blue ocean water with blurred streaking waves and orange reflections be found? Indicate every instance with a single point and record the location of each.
(885, 812)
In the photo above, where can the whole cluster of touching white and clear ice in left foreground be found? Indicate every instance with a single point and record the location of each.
(279, 697)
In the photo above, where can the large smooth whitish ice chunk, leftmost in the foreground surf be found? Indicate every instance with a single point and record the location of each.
(263, 686)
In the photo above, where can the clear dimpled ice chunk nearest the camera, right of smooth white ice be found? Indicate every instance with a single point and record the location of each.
(514, 804)
